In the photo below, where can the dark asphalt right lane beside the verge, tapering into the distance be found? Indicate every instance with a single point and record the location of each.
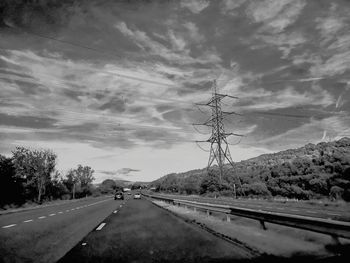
(142, 232)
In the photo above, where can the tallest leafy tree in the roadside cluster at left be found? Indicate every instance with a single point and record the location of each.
(35, 167)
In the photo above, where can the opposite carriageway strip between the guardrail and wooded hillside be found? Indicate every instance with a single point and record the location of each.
(295, 208)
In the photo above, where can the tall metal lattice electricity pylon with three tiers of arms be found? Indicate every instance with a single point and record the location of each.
(219, 150)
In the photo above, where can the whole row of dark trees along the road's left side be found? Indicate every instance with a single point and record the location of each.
(30, 175)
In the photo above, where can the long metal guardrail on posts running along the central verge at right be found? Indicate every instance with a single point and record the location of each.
(333, 228)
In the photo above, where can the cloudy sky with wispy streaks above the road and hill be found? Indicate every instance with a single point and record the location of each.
(114, 84)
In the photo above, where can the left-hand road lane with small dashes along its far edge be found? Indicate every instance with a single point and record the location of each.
(46, 234)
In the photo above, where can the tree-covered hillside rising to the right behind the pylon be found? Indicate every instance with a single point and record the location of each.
(312, 171)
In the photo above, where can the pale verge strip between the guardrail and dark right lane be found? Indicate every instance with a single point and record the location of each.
(281, 241)
